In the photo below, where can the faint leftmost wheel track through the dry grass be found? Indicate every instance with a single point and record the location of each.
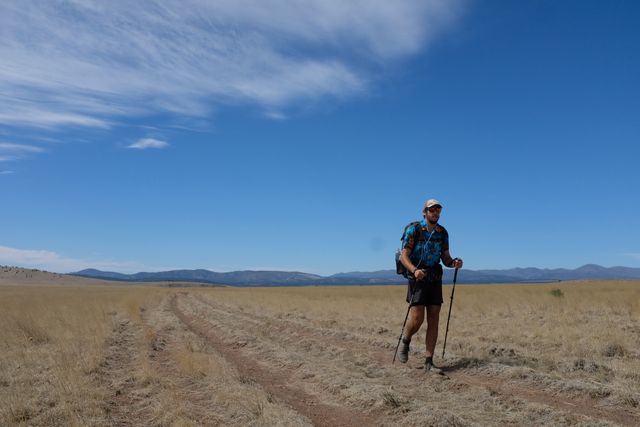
(124, 404)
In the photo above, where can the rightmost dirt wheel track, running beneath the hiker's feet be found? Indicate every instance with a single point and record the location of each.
(506, 388)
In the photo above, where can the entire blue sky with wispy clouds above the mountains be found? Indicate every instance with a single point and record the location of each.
(304, 135)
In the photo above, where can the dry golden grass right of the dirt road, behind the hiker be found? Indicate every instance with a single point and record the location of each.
(579, 339)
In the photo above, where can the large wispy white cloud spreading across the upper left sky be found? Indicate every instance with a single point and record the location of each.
(93, 63)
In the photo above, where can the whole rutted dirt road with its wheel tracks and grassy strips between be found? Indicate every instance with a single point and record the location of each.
(304, 372)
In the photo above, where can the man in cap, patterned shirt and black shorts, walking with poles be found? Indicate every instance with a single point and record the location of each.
(423, 247)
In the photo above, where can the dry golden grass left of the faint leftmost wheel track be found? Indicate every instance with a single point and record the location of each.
(52, 338)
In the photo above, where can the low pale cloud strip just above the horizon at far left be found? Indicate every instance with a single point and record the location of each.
(52, 261)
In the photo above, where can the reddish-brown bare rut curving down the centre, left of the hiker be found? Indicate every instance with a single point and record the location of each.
(276, 381)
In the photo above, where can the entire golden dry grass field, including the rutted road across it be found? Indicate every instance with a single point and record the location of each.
(84, 352)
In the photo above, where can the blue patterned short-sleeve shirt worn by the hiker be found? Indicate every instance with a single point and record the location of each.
(427, 250)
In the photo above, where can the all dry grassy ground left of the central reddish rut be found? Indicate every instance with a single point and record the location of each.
(57, 344)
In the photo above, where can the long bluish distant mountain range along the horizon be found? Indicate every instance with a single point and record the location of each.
(294, 278)
